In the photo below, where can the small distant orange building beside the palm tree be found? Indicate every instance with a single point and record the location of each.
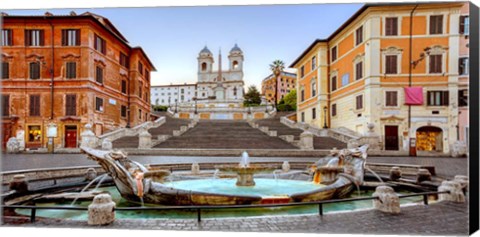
(286, 83)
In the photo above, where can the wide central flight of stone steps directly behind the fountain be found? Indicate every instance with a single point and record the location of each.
(224, 134)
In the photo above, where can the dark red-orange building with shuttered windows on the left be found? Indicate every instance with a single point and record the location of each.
(69, 70)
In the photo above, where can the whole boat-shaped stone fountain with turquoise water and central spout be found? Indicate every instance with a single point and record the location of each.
(334, 177)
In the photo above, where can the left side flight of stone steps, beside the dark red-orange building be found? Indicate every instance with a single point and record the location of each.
(159, 134)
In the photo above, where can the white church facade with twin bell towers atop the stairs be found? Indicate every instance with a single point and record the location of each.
(220, 85)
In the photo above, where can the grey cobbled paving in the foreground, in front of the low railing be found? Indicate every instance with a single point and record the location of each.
(444, 218)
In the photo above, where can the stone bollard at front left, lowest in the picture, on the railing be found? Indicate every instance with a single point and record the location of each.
(102, 210)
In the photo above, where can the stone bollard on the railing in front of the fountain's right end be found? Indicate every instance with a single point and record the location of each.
(387, 201)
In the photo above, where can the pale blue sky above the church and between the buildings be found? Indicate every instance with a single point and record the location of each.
(172, 37)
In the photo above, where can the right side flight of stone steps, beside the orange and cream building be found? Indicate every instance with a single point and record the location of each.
(283, 130)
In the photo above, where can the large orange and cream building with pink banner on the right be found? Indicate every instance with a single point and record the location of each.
(362, 74)
